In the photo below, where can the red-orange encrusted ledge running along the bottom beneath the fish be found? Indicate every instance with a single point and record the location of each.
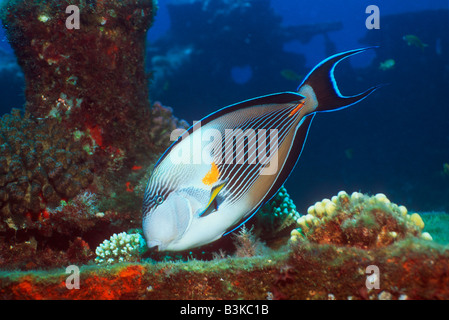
(309, 271)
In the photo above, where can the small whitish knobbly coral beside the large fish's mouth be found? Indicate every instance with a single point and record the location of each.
(122, 247)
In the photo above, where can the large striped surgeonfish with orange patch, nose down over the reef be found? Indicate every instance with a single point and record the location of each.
(219, 172)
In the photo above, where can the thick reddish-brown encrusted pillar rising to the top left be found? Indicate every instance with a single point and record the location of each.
(91, 78)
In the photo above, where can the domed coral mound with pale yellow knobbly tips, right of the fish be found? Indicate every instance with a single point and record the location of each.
(358, 220)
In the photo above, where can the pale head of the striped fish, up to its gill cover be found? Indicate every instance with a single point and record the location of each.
(166, 220)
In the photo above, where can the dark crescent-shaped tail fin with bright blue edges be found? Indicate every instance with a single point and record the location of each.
(320, 84)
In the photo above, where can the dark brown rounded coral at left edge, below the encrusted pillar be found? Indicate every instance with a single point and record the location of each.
(40, 164)
